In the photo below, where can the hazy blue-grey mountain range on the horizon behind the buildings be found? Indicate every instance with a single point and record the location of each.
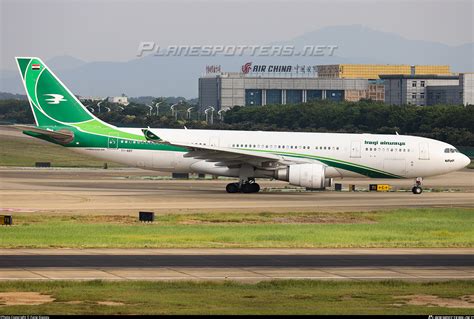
(178, 76)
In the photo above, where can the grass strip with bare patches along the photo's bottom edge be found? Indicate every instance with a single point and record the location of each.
(275, 297)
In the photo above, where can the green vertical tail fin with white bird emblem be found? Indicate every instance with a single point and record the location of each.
(51, 101)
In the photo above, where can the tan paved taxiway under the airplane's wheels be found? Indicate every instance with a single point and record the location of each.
(125, 191)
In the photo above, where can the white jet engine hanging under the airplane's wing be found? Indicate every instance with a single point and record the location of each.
(305, 175)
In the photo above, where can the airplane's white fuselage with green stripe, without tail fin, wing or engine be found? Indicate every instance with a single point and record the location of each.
(346, 155)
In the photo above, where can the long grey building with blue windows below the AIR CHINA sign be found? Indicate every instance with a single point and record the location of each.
(225, 90)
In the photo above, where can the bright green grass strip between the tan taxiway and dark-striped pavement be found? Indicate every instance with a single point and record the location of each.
(441, 227)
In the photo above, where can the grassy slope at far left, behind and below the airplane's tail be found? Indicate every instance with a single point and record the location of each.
(25, 151)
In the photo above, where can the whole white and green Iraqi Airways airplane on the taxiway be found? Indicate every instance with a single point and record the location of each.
(309, 160)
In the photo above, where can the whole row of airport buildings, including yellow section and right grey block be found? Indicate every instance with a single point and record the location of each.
(257, 85)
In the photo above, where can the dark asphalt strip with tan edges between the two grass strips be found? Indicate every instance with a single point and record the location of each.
(248, 265)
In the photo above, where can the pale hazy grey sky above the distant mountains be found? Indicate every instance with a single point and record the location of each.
(95, 30)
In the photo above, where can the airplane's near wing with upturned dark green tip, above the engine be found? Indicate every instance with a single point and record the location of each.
(226, 156)
